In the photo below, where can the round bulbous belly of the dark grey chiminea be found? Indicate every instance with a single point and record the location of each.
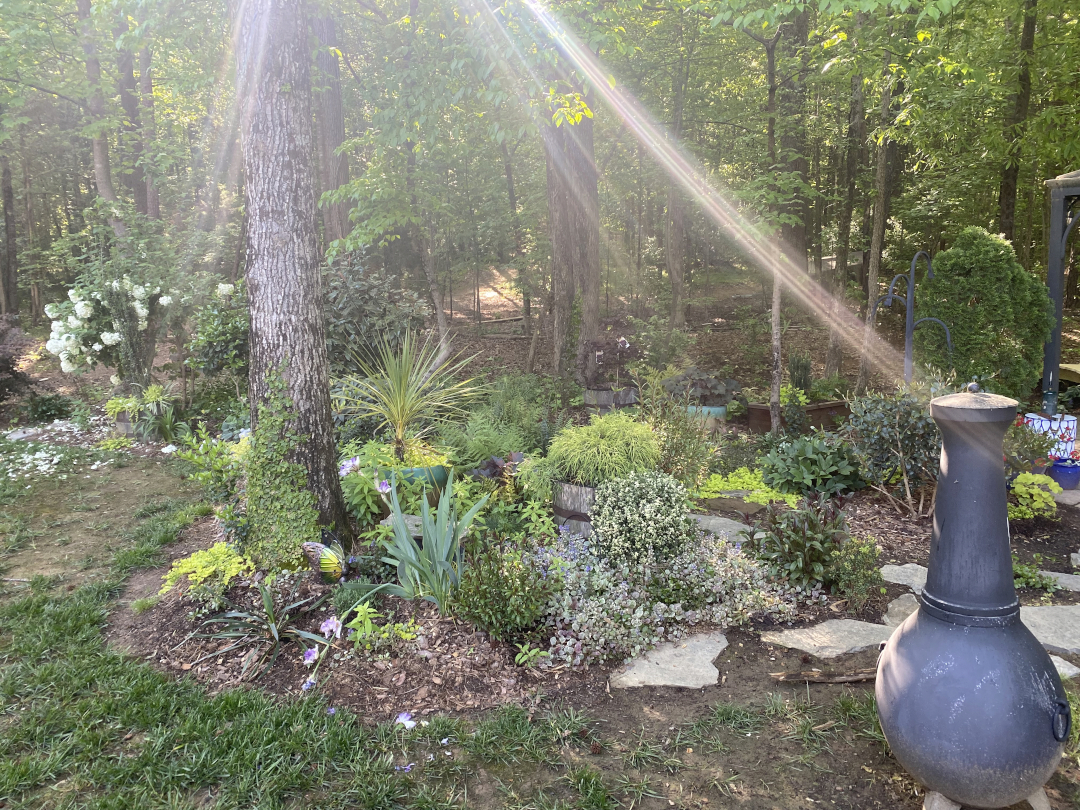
(970, 710)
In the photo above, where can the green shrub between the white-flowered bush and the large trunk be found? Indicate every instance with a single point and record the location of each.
(220, 333)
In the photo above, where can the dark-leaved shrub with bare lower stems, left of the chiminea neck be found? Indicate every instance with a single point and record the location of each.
(896, 442)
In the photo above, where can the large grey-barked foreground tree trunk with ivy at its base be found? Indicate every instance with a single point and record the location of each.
(274, 86)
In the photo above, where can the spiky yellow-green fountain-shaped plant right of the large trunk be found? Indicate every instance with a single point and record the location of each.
(410, 388)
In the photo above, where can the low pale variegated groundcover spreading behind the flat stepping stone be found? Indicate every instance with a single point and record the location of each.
(611, 611)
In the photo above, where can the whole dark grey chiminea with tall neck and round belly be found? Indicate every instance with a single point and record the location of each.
(969, 700)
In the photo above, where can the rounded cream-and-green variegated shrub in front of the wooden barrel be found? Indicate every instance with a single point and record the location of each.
(643, 517)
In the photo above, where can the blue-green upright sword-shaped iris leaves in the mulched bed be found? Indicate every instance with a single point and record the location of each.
(433, 570)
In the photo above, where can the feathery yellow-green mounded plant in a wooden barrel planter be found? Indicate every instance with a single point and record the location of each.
(582, 458)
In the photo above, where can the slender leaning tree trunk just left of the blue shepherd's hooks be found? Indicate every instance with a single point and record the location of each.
(849, 173)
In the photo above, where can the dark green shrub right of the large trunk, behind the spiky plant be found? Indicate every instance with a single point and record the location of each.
(362, 308)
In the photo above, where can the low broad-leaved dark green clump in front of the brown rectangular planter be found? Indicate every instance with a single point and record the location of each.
(809, 465)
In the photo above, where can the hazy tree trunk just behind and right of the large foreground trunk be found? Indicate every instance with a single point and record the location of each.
(333, 168)
